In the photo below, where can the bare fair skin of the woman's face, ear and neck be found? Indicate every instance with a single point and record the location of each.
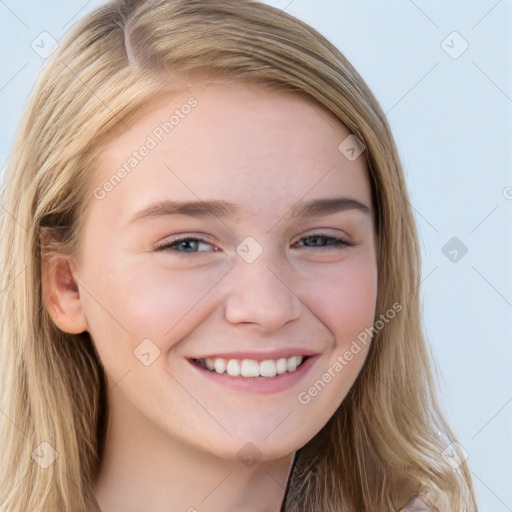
(173, 435)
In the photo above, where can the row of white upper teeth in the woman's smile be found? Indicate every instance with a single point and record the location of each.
(251, 367)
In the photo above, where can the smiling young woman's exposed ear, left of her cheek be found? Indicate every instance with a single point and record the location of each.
(60, 293)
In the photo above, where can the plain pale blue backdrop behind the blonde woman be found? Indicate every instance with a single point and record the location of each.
(442, 72)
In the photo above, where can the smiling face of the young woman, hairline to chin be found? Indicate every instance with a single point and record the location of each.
(241, 237)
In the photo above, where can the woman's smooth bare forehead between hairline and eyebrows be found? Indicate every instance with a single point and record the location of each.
(240, 142)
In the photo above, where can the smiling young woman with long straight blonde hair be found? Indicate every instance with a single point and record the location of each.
(210, 279)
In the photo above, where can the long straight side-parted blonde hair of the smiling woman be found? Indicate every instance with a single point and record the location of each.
(386, 439)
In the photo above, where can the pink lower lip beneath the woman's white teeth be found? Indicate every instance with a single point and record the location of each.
(262, 385)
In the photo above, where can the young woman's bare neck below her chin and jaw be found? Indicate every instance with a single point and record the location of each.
(144, 468)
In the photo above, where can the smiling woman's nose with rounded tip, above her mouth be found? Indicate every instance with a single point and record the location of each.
(261, 296)
